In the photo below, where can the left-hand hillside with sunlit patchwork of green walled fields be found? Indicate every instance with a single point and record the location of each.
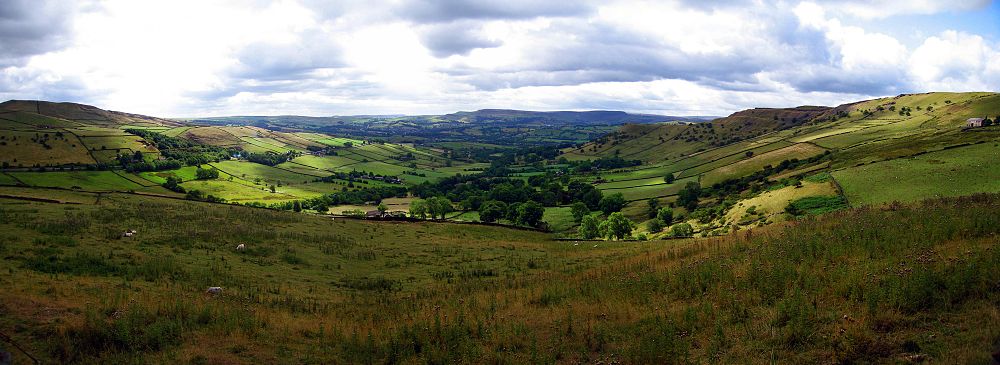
(85, 148)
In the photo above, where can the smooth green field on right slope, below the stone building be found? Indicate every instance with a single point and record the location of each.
(952, 172)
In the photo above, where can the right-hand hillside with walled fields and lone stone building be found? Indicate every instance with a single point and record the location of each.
(907, 147)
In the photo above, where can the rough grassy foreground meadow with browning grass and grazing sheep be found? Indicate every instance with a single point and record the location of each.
(896, 283)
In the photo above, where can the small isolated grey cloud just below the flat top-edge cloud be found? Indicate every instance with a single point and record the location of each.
(456, 38)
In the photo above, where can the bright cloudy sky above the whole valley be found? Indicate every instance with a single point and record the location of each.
(190, 58)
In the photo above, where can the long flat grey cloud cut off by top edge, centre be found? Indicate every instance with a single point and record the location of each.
(431, 11)
